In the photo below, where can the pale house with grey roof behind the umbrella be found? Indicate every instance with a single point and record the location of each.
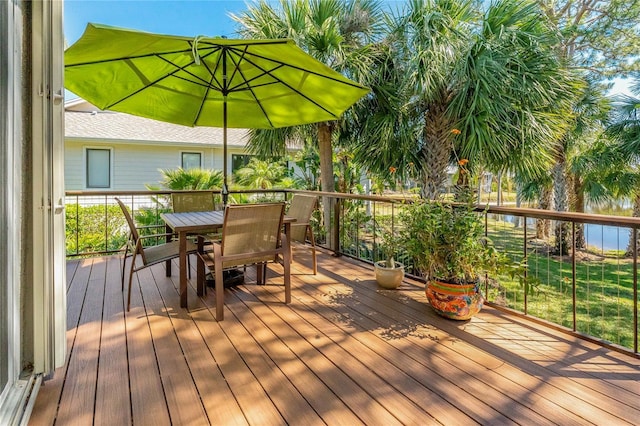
(107, 150)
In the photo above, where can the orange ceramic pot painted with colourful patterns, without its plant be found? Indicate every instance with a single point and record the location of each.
(454, 301)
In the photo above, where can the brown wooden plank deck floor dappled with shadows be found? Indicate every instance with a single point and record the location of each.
(343, 352)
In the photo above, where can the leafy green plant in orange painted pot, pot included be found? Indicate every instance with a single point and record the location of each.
(448, 245)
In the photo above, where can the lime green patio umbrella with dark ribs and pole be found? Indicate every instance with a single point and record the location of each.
(204, 81)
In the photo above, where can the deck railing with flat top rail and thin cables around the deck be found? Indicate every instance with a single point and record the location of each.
(593, 294)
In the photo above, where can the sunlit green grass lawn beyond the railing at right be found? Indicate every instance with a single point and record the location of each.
(603, 287)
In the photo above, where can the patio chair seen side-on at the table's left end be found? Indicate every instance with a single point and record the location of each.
(148, 255)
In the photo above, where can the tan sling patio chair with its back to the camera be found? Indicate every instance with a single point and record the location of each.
(251, 234)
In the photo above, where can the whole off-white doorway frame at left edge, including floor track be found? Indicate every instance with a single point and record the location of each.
(32, 273)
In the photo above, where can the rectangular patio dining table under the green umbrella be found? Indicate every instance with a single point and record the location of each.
(190, 223)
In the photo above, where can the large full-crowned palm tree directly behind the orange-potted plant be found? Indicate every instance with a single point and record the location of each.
(487, 87)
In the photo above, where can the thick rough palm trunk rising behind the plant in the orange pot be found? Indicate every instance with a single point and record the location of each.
(435, 152)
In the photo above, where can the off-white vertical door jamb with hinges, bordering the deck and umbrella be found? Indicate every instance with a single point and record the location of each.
(49, 259)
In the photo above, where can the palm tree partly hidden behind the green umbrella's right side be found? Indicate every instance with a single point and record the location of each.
(336, 33)
